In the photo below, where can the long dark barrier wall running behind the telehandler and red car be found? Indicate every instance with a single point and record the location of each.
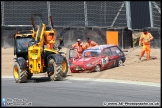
(71, 34)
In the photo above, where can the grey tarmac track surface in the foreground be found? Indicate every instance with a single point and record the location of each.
(42, 92)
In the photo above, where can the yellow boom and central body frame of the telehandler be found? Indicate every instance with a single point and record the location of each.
(35, 51)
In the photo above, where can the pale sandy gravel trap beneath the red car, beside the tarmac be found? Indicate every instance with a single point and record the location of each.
(133, 69)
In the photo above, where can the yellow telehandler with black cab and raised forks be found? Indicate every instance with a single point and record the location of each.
(33, 58)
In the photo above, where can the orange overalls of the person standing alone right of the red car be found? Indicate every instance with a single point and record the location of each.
(145, 41)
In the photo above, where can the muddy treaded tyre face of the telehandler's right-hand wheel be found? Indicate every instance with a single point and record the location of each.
(55, 70)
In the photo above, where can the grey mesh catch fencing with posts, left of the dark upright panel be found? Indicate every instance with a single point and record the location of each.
(65, 13)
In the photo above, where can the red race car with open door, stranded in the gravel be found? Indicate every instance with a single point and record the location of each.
(96, 58)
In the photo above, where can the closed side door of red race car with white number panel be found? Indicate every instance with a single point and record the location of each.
(106, 58)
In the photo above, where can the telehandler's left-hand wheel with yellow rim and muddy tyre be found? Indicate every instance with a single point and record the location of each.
(20, 75)
